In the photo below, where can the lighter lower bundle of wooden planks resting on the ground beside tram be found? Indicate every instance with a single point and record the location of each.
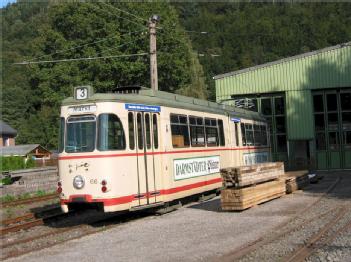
(234, 199)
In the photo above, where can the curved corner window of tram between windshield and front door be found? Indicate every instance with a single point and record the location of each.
(110, 133)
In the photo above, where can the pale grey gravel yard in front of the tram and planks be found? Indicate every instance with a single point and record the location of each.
(202, 232)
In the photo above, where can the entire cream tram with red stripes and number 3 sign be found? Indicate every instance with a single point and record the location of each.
(127, 151)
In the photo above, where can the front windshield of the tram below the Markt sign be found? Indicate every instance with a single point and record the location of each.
(81, 133)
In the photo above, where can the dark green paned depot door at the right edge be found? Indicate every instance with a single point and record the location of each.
(332, 119)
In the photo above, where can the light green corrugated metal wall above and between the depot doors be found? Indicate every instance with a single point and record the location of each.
(297, 76)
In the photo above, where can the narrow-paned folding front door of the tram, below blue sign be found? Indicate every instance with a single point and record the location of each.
(148, 162)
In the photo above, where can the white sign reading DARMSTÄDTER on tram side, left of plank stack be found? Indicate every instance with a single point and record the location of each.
(193, 167)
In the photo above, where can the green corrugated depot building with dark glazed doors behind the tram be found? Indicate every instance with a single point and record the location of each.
(307, 101)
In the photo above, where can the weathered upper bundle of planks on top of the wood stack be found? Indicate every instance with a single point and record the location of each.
(249, 175)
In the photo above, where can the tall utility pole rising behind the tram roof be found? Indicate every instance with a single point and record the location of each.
(153, 55)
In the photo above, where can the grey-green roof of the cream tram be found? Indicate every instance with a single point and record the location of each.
(152, 97)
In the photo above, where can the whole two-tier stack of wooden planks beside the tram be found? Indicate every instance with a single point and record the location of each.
(247, 186)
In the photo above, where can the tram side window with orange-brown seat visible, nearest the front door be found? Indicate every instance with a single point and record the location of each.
(179, 130)
